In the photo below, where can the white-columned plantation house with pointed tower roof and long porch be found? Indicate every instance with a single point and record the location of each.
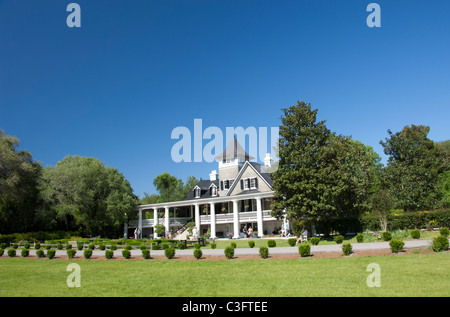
(239, 195)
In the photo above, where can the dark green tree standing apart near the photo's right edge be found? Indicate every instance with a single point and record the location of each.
(413, 168)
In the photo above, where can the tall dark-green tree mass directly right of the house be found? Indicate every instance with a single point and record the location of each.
(320, 175)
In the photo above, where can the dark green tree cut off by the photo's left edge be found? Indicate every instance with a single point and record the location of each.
(19, 175)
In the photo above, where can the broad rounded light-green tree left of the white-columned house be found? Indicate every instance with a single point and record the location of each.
(87, 197)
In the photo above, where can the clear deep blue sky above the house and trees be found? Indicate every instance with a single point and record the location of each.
(116, 87)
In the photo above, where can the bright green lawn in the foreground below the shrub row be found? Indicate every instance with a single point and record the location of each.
(401, 275)
